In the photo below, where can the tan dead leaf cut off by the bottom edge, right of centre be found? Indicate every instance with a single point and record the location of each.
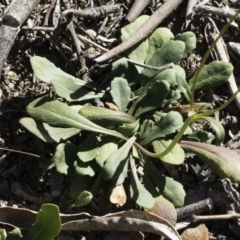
(198, 233)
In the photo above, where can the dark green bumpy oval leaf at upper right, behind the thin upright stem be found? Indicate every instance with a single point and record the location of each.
(214, 74)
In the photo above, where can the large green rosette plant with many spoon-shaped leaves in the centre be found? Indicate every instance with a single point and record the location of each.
(113, 142)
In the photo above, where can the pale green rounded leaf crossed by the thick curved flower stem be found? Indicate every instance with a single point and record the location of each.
(175, 156)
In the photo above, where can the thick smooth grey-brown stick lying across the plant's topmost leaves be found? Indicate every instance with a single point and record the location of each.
(144, 31)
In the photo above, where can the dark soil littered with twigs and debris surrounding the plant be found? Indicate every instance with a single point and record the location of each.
(28, 182)
